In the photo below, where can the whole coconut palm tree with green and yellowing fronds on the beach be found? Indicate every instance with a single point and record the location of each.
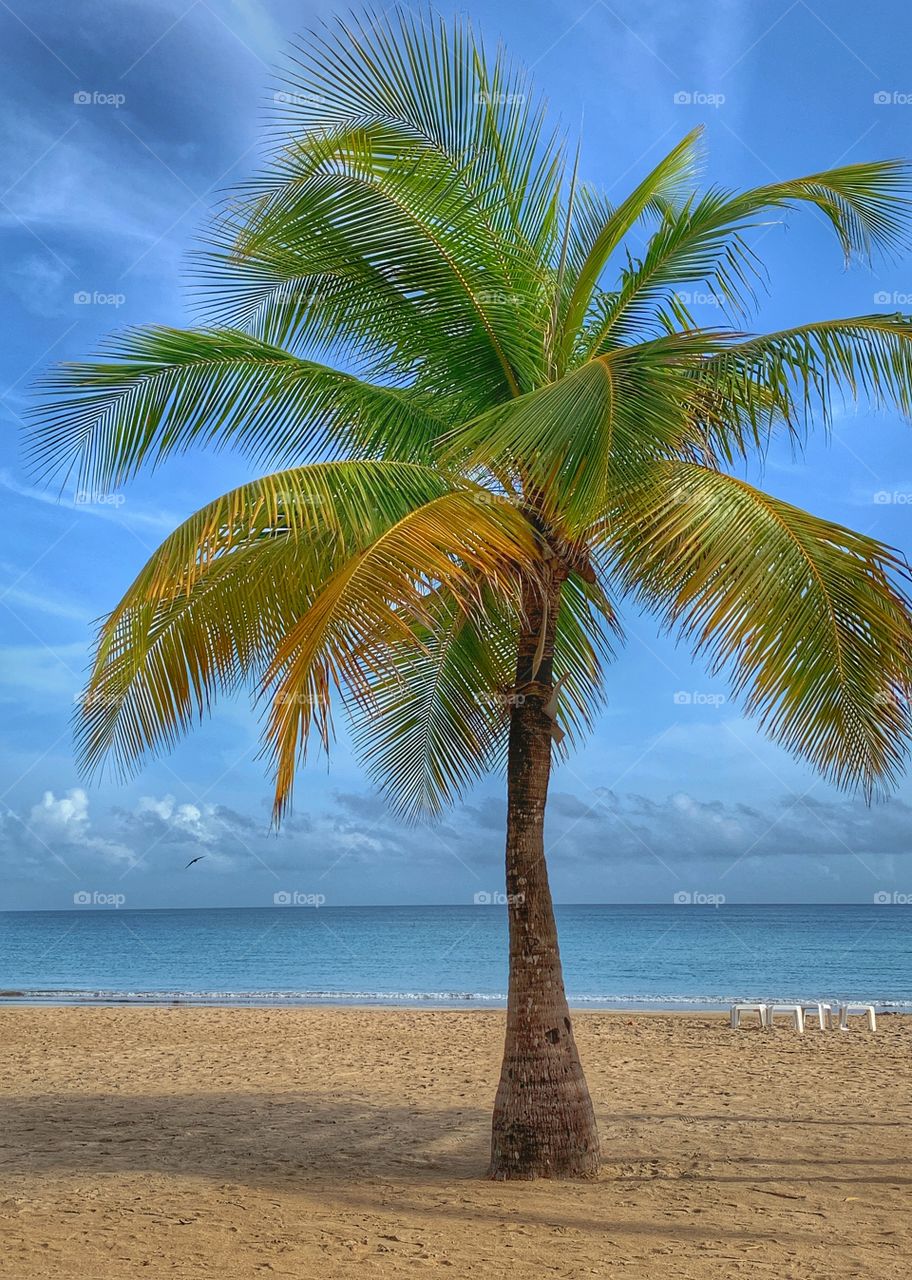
(494, 422)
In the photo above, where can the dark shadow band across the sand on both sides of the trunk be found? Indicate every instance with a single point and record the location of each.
(265, 1140)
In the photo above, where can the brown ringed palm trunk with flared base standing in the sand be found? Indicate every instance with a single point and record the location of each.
(544, 1123)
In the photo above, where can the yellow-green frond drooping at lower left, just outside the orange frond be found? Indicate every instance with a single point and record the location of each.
(224, 592)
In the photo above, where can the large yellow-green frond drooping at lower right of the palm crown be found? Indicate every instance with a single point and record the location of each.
(811, 620)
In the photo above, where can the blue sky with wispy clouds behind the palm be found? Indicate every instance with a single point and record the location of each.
(121, 125)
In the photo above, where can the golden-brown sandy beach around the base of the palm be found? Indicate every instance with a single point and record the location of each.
(352, 1142)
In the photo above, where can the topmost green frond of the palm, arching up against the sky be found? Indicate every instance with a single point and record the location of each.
(435, 83)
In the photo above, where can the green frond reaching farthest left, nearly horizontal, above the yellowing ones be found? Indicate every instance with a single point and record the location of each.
(165, 391)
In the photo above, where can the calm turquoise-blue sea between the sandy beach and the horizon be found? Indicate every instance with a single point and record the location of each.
(614, 957)
